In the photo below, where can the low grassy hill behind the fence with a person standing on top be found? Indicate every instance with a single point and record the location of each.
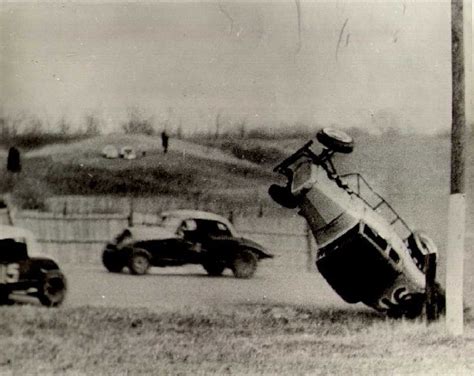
(188, 169)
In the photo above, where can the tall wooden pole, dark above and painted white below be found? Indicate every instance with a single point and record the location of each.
(457, 199)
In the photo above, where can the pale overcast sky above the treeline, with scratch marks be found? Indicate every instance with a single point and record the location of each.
(343, 63)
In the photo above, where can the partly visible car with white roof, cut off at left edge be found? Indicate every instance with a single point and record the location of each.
(24, 270)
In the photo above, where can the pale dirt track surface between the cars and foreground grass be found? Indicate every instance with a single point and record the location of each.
(178, 288)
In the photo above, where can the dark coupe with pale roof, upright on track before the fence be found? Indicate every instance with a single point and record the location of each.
(185, 237)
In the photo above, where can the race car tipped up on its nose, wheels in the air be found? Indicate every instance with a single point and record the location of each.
(366, 251)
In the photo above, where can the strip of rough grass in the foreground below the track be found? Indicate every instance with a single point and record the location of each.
(239, 340)
